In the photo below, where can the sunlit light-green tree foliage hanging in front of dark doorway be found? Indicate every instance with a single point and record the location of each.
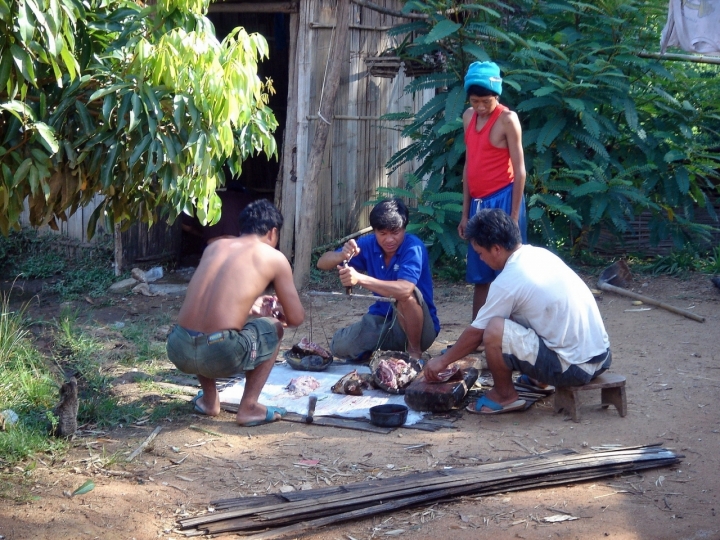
(141, 105)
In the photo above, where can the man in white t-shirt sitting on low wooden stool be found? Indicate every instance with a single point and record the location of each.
(540, 319)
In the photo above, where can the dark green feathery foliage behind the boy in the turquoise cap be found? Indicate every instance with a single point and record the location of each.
(607, 134)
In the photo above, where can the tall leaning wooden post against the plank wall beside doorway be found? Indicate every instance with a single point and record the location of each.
(307, 223)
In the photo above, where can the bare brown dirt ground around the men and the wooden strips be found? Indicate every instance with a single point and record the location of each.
(672, 365)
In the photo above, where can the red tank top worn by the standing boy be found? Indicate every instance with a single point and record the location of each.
(489, 168)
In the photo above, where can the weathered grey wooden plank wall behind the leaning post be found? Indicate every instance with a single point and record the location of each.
(360, 143)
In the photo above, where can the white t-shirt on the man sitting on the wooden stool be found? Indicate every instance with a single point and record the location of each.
(538, 290)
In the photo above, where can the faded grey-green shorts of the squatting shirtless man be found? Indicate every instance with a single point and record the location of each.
(225, 353)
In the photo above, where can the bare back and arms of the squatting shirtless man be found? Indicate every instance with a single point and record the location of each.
(232, 274)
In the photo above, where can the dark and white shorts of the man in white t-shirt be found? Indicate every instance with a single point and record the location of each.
(524, 351)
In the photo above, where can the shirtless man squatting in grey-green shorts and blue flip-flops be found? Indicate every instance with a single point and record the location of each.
(214, 338)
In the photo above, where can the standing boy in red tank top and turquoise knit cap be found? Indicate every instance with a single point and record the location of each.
(494, 173)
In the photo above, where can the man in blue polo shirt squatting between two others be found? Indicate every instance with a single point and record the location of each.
(395, 265)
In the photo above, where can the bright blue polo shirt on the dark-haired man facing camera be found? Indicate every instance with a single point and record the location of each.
(410, 262)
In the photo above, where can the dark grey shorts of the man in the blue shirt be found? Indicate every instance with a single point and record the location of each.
(373, 332)
